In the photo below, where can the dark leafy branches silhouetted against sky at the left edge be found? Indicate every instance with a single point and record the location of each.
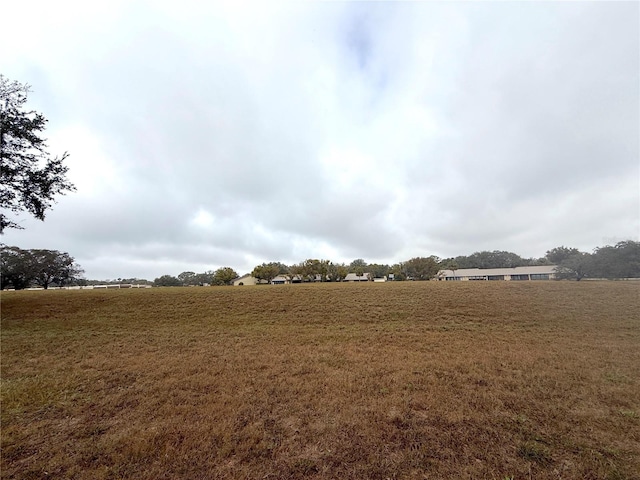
(29, 177)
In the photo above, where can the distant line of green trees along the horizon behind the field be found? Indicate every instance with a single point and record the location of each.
(25, 268)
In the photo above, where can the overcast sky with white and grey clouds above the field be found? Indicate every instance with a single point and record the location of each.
(212, 134)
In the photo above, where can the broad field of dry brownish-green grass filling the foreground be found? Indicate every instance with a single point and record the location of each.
(522, 380)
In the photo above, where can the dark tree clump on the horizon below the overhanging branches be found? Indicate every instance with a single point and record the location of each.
(22, 268)
